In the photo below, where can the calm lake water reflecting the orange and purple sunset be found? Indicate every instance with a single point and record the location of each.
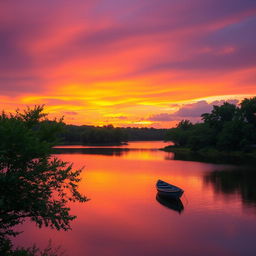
(216, 215)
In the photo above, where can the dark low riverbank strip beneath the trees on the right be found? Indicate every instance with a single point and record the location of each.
(212, 155)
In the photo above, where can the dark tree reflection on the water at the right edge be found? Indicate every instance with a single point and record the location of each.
(237, 181)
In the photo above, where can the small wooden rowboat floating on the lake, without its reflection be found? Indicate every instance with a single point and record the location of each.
(166, 189)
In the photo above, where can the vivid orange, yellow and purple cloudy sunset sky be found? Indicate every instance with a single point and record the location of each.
(146, 63)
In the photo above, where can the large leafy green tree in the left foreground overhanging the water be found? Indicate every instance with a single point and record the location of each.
(33, 184)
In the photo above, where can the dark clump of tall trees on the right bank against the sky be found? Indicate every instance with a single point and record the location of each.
(227, 127)
